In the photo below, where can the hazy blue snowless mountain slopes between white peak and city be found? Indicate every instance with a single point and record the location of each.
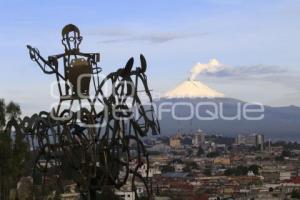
(277, 123)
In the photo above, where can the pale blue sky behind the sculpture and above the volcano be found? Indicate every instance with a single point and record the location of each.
(257, 42)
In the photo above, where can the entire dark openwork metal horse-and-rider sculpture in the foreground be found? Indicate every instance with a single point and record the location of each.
(98, 145)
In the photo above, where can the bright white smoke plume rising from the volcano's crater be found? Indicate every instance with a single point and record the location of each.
(212, 66)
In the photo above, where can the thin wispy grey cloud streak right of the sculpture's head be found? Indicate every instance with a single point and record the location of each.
(114, 35)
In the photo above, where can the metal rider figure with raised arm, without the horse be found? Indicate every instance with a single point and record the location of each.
(73, 69)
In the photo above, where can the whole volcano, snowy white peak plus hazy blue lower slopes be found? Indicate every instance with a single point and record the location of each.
(277, 122)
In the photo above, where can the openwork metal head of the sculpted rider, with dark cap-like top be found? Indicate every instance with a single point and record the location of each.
(71, 38)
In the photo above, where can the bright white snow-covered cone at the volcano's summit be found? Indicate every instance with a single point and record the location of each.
(192, 89)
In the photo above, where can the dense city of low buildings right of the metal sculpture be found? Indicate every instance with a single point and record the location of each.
(202, 166)
